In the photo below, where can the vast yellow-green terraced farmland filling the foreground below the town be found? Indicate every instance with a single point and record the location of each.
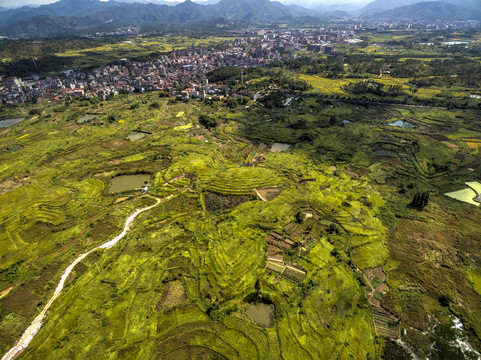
(179, 284)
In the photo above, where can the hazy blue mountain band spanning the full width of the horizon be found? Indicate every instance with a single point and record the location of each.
(67, 17)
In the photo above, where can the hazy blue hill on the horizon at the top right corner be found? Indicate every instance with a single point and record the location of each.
(429, 11)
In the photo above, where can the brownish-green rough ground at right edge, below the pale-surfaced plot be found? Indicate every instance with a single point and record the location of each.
(429, 259)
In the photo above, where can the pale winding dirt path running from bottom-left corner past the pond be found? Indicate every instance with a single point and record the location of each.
(36, 324)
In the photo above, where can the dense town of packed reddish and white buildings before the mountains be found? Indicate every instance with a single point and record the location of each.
(179, 70)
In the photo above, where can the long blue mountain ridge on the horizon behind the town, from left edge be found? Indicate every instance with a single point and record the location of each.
(67, 17)
